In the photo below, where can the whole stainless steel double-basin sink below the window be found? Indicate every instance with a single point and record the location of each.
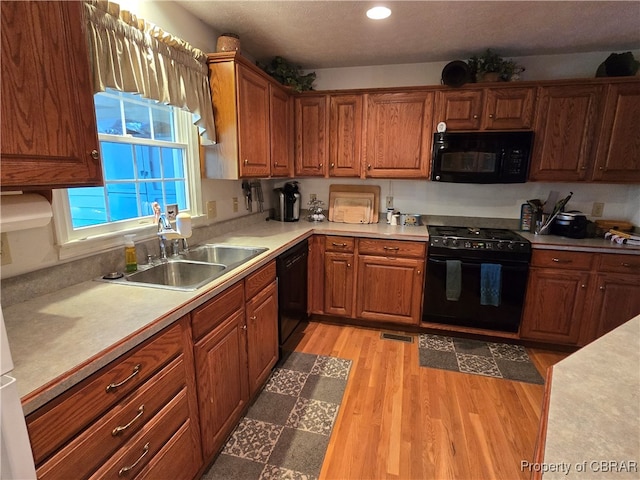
(193, 268)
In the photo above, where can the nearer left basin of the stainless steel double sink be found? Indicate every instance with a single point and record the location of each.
(176, 274)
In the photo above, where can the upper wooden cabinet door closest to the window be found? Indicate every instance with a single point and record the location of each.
(253, 124)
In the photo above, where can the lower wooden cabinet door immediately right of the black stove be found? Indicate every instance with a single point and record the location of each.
(554, 305)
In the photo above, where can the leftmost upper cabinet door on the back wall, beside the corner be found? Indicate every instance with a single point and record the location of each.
(311, 135)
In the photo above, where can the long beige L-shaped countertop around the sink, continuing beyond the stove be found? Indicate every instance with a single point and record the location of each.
(60, 338)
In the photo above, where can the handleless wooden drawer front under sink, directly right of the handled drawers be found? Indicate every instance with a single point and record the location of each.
(208, 316)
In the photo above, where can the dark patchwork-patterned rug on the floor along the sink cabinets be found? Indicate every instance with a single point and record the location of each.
(285, 433)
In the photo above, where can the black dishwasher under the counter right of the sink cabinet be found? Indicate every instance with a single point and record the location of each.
(291, 268)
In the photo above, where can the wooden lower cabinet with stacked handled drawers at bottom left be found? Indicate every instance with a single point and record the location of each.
(121, 420)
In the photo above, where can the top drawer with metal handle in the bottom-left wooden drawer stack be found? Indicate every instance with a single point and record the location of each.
(54, 424)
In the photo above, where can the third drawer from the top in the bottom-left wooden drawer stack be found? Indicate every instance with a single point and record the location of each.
(146, 444)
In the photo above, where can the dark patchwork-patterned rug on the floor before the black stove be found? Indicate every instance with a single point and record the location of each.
(499, 360)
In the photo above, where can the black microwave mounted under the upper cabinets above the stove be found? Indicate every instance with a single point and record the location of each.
(481, 157)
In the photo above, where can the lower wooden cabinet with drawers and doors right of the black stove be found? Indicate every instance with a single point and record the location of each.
(575, 297)
